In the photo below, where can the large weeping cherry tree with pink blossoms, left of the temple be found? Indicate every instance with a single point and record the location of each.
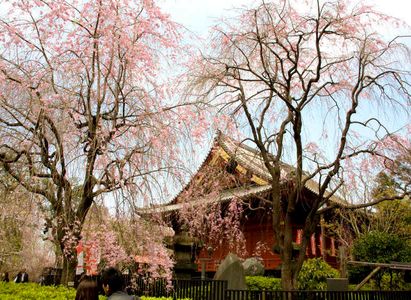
(84, 105)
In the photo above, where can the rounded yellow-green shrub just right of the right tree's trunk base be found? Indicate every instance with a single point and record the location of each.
(314, 274)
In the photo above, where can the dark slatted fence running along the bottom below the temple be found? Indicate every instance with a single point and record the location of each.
(217, 290)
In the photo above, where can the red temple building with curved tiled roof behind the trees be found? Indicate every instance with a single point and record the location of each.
(235, 171)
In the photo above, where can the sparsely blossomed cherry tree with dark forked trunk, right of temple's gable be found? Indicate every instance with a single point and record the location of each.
(310, 82)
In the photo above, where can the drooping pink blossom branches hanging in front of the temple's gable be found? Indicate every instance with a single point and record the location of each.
(213, 224)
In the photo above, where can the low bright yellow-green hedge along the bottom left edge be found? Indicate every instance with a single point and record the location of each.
(33, 291)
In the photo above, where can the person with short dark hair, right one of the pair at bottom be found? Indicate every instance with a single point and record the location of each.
(113, 284)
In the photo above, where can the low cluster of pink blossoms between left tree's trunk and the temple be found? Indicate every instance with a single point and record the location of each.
(127, 241)
